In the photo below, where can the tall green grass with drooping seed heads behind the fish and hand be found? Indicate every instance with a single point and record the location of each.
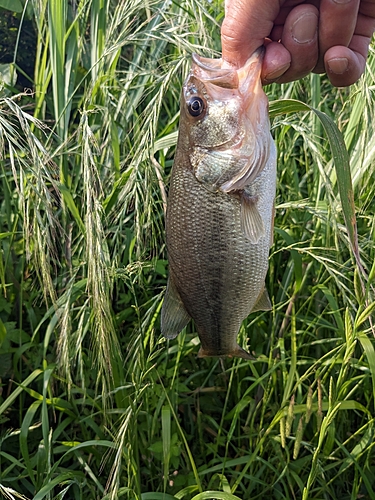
(94, 404)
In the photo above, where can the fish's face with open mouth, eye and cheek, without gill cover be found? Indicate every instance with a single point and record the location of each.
(216, 101)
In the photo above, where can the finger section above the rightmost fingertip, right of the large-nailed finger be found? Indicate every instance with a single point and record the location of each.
(337, 23)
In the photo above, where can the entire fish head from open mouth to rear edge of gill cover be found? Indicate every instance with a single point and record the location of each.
(224, 121)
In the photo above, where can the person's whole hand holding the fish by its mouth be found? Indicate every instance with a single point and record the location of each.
(317, 36)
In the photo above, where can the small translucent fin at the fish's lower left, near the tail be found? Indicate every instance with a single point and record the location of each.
(173, 314)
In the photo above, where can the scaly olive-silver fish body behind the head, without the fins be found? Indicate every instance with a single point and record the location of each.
(217, 272)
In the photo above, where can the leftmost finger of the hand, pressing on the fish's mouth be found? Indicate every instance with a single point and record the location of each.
(245, 26)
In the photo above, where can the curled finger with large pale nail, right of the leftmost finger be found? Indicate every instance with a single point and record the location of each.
(300, 39)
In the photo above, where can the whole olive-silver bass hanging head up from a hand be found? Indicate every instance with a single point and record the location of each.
(220, 211)
